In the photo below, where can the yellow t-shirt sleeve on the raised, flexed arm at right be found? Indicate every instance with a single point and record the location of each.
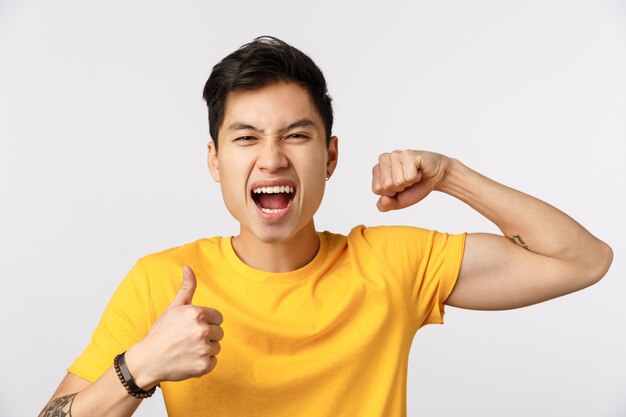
(426, 262)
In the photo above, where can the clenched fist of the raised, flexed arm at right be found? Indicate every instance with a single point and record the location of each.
(402, 178)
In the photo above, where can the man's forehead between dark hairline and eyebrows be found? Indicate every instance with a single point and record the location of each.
(270, 107)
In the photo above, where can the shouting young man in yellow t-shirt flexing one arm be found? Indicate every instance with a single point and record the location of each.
(307, 322)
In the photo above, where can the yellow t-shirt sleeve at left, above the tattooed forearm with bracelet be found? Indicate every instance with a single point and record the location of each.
(125, 321)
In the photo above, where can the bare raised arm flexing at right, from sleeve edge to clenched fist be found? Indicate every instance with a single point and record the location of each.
(543, 254)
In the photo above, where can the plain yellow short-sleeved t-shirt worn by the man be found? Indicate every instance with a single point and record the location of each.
(329, 339)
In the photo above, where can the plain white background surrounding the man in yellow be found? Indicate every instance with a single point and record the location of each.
(103, 139)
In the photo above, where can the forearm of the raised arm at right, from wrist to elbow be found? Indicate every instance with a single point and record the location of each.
(526, 220)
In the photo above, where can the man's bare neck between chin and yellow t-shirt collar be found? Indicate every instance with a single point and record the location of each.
(283, 256)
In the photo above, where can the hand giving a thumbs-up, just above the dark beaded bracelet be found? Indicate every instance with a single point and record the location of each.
(182, 343)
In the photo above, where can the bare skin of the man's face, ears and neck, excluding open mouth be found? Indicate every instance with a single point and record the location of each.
(255, 144)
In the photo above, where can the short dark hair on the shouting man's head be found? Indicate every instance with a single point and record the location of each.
(264, 61)
